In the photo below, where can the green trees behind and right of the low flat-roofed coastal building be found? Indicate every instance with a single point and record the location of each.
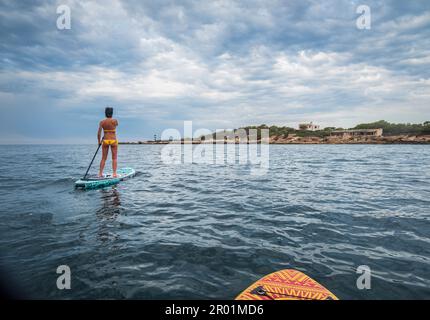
(392, 129)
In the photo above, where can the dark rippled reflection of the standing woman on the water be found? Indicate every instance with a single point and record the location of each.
(107, 214)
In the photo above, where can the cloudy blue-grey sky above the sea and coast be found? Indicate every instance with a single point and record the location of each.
(221, 64)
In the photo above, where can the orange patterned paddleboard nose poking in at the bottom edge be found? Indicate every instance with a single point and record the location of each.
(286, 284)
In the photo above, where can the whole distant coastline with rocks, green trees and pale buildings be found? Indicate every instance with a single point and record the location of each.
(379, 132)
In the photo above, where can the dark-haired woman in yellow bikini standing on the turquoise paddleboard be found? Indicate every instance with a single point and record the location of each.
(108, 126)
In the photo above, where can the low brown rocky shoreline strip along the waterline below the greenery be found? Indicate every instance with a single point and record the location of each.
(293, 139)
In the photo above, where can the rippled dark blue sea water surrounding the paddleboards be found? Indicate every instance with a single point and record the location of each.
(205, 231)
